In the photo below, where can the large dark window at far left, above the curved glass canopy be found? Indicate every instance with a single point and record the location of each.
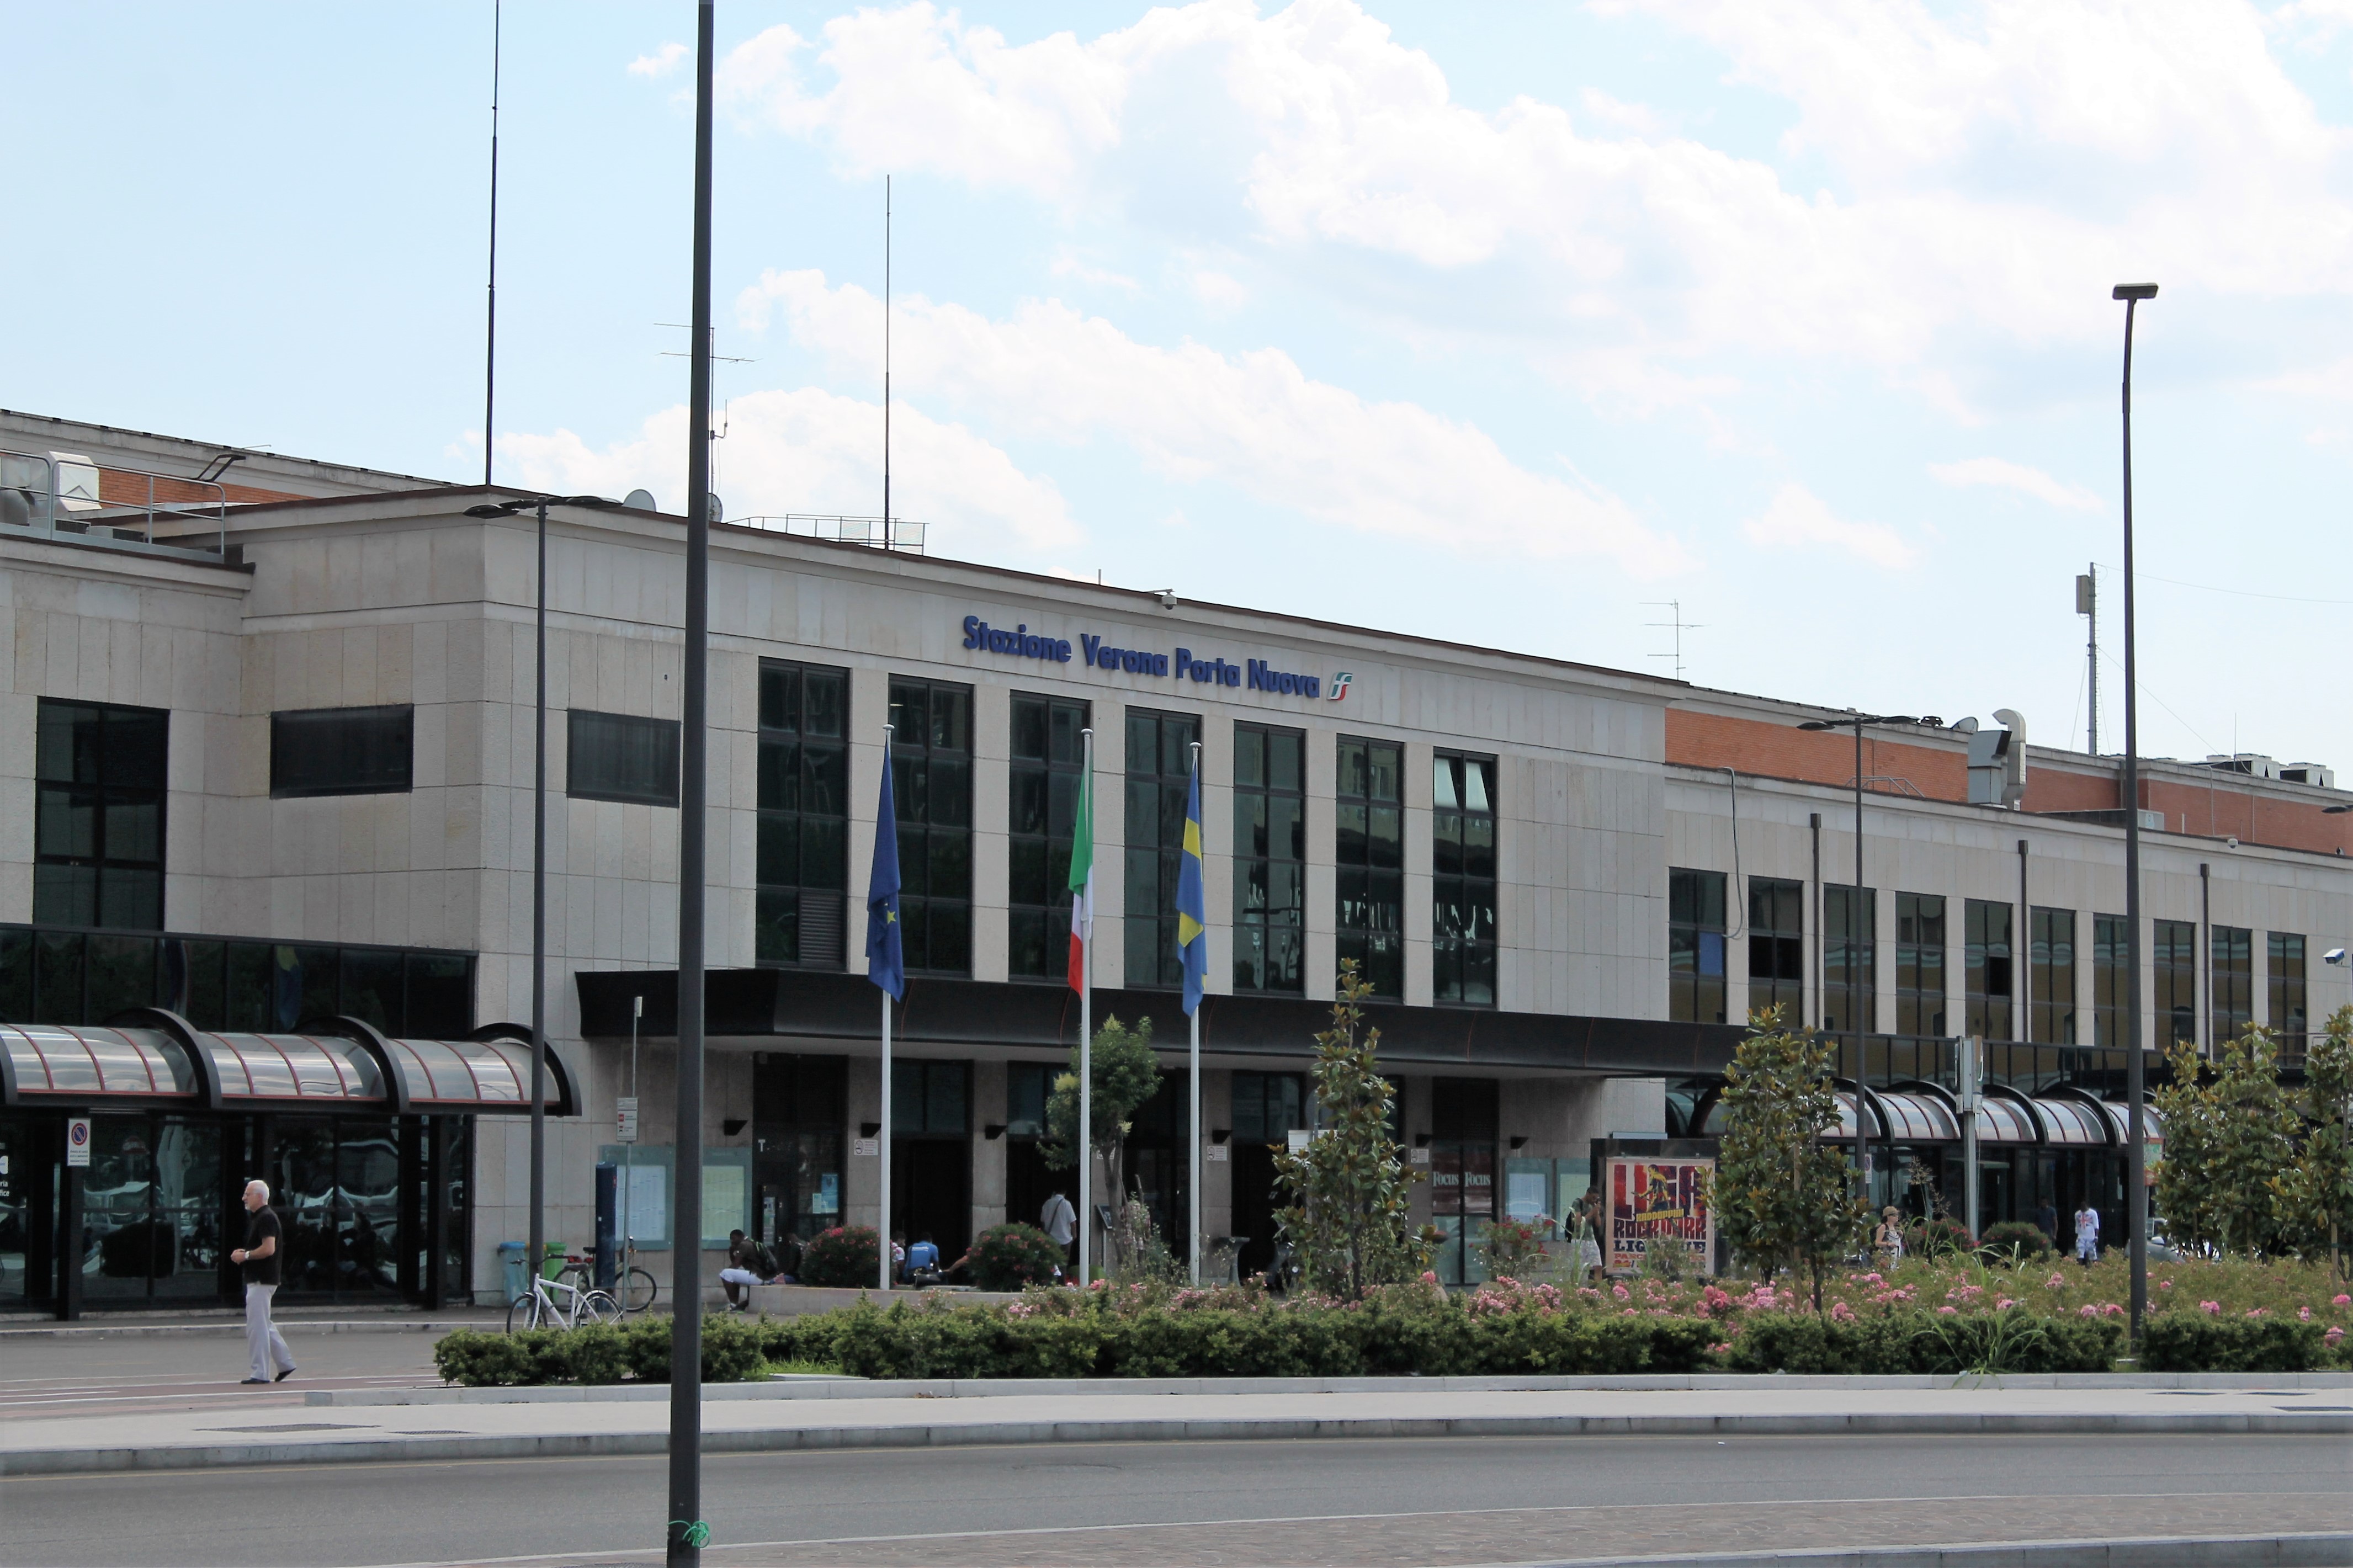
(98, 816)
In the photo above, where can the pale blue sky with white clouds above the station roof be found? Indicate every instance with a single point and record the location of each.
(1524, 326)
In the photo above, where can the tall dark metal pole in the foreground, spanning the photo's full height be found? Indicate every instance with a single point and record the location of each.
(686, 1532)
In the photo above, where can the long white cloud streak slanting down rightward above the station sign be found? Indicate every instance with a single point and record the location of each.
(1253, 420)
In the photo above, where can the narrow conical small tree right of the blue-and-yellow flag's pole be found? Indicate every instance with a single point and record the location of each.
(1349, 1190)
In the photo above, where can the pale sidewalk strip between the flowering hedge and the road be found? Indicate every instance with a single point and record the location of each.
(361, 1426)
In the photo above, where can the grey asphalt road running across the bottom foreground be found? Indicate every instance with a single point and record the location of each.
(1467, 1501)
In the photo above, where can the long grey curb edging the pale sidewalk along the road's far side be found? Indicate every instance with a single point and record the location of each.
(966, 1435)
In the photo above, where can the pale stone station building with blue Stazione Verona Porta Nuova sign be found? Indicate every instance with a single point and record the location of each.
(267, 889)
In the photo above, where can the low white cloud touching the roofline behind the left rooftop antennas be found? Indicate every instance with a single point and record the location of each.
(813, 451)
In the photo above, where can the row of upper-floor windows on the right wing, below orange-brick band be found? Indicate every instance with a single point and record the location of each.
(1992, 1002)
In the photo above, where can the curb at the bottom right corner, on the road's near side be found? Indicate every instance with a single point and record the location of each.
(2321, 1550)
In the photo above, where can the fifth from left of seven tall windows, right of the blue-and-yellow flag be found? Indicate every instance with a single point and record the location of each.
(1269, 858)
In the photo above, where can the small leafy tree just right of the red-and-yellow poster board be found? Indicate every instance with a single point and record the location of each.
(1782, 1195)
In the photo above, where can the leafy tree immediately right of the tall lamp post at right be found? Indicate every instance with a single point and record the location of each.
(2229, 1134)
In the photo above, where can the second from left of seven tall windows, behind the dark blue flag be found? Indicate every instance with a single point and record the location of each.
(933, 790)
